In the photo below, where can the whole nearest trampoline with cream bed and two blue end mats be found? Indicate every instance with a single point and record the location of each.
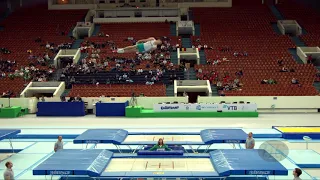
(104, 163)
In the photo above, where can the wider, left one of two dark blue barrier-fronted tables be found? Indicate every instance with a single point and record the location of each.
(61, 109)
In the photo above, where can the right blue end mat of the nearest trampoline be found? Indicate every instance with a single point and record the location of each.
(246, 162)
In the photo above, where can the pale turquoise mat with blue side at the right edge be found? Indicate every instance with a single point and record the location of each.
(305, 158)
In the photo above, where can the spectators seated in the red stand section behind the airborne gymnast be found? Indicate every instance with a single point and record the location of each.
(155, 63)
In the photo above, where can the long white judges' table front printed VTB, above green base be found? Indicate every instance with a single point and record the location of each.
(205, 107)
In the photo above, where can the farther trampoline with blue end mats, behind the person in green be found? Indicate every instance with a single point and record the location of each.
(119, 137)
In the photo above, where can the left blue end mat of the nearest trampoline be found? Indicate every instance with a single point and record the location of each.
(90, 162)
